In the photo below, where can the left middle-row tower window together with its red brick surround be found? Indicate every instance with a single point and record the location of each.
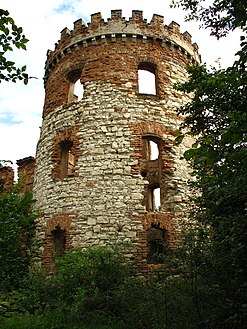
(65, 153)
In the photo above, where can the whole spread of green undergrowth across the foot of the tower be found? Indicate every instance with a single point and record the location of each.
(98, 288)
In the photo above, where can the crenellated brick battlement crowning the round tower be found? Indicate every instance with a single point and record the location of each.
(98, 30)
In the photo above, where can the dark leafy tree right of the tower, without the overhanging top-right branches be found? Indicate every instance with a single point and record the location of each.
(218, 115)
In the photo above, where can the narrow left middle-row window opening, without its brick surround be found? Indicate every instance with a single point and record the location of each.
(67, 164)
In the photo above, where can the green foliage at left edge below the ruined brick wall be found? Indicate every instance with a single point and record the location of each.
(16, 232)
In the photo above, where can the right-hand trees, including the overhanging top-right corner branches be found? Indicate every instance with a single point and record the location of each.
(217, 117)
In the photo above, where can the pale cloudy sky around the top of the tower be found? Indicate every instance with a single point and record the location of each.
(42, 21)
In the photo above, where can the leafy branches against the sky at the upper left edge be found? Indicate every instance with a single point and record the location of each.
(11, 36)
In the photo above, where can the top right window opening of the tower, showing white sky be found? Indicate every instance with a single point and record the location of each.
(147, 79)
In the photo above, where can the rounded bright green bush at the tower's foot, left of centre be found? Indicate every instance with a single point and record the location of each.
(83, 285)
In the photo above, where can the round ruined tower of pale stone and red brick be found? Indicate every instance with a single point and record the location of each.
(107, 168)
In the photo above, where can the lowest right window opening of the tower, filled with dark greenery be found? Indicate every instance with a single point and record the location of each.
(156, 245)
